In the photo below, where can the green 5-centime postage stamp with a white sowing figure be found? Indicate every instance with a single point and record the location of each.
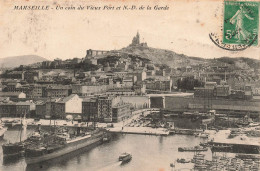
(241, 20)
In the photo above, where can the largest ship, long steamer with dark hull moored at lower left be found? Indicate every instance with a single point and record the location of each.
(56, 145)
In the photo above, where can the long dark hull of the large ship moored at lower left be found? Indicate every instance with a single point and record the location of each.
(68, 148)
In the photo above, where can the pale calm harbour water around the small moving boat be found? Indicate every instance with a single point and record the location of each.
(149, 153)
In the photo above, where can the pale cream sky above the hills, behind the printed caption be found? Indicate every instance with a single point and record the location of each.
(183, 28)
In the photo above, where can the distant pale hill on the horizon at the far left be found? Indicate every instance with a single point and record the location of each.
(16, 61)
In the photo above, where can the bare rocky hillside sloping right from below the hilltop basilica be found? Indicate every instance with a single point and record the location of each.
(174, 59)
